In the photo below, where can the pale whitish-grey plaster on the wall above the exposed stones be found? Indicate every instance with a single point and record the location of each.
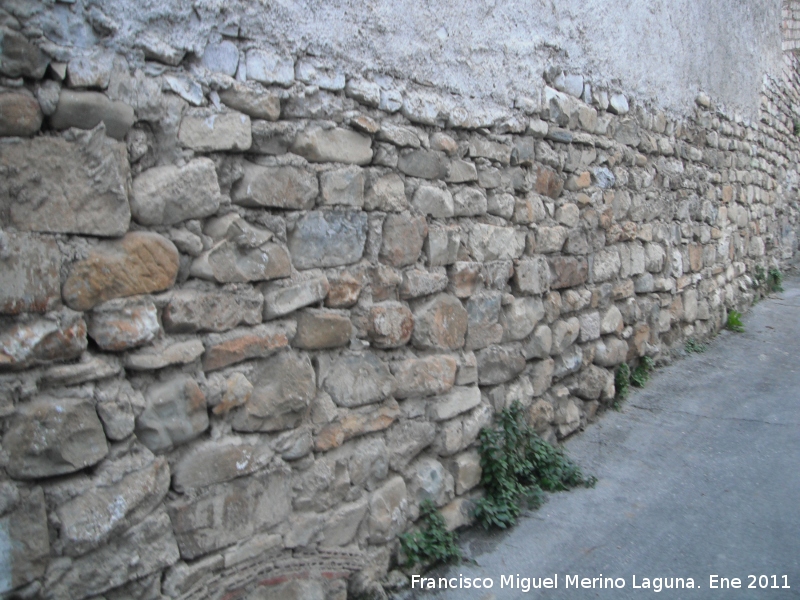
(661, 50)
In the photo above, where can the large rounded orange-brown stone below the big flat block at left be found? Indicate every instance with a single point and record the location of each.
(139, 263)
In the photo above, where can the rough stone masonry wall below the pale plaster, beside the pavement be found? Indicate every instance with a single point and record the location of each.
(248, 322)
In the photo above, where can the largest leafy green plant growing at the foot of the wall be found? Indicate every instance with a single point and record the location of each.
(518, 466)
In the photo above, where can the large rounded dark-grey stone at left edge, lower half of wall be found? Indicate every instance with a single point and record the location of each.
(52, 435)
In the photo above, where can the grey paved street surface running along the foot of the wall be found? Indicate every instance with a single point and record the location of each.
(699, 475)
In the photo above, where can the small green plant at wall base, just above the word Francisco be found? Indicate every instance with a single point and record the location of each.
(432, 543)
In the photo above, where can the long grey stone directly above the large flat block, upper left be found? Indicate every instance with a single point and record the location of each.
(86, 110)
